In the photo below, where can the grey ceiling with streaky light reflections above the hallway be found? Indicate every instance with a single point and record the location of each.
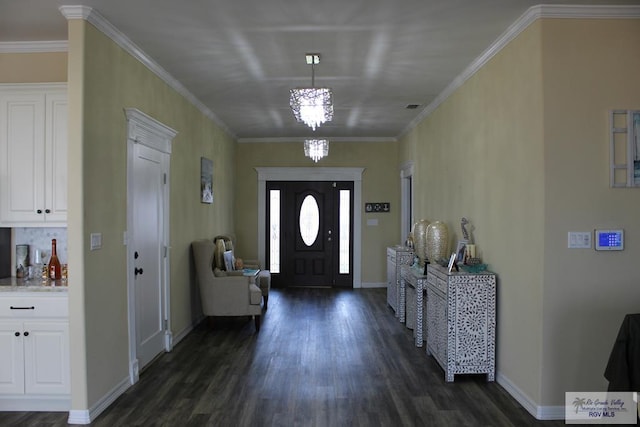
(239, 58)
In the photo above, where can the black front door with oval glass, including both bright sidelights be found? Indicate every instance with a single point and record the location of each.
(310, 224)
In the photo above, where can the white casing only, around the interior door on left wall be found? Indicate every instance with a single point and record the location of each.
(143, 129)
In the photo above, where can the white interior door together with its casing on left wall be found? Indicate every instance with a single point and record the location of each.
(148, 279)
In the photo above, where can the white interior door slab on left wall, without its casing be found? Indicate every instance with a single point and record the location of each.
(148, 247)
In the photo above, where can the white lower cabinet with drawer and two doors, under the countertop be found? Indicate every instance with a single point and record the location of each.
(34, 353)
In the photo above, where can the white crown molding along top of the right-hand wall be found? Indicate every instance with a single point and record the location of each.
(530, 16)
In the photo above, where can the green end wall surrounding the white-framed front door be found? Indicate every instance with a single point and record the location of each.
(380, 183)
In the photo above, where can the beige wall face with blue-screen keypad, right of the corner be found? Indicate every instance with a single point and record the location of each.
(590, 67)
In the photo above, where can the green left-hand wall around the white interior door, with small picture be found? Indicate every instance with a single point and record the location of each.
(104, 80)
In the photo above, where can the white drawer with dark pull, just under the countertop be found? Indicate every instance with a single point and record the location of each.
(34, 307)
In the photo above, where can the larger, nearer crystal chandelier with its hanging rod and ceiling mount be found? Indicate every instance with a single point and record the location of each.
(312, 105)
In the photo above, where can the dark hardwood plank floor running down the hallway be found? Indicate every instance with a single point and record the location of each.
(323, 357)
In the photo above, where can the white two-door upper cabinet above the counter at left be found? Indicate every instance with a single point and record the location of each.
(33, 155)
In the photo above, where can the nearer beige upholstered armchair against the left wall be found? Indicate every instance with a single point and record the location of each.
(227, 295)
